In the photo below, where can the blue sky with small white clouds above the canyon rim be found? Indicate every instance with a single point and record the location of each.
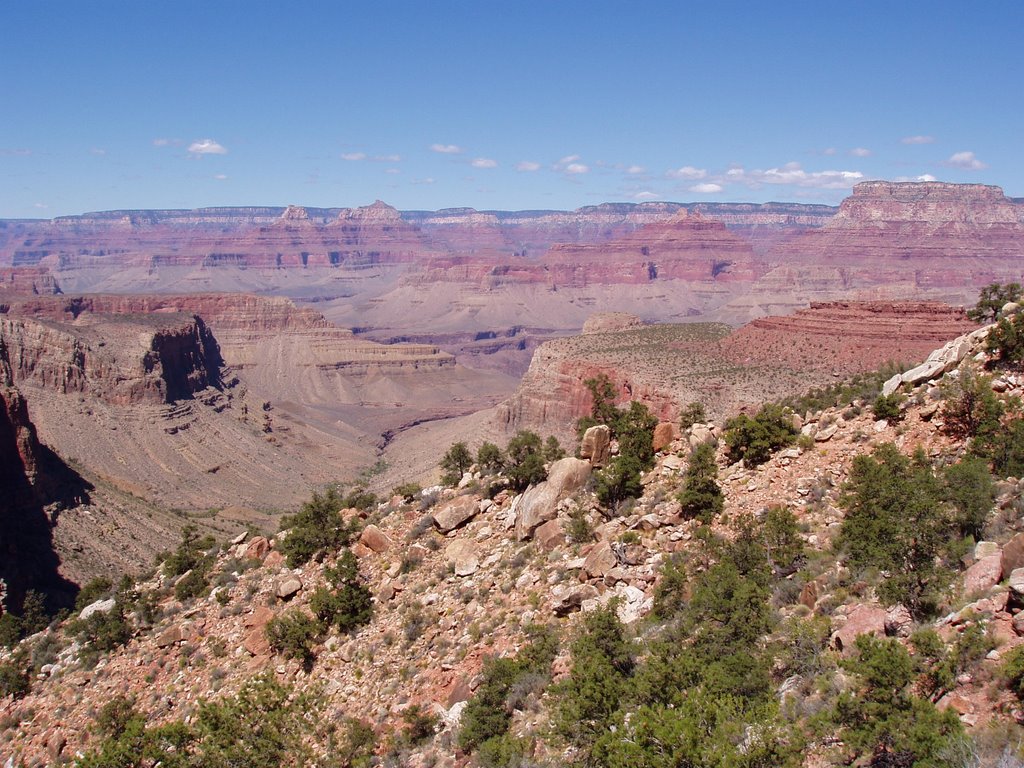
(495, 105)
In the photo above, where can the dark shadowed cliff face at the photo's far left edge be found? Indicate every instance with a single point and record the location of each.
(32, 479)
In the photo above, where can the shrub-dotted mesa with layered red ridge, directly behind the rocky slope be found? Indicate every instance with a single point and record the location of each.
(668, 367)
